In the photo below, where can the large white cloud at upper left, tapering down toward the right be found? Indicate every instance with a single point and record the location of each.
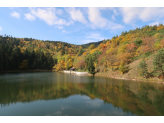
(49, 16)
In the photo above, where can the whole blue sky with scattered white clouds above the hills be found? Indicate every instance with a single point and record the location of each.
(75, 25)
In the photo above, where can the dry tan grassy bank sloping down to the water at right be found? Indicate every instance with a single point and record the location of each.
(132, 73)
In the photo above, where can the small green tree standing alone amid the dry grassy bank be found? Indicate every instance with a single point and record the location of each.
(142, 68)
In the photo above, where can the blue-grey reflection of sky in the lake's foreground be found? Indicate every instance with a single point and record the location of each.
(73, 105)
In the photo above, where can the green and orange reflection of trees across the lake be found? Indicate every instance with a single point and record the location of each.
(148, 100)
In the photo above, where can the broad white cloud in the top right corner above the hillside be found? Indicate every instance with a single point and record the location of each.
(131, 14)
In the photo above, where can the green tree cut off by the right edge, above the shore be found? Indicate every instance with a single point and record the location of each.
(158, 62)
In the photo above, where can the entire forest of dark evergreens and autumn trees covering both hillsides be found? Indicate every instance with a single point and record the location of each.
(109, 54)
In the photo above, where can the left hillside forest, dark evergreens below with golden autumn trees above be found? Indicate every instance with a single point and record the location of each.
(28, 53)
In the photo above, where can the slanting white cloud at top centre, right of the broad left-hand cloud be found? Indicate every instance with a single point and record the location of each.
(76, 14)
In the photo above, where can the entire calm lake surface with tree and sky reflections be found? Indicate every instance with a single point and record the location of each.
(50, 93)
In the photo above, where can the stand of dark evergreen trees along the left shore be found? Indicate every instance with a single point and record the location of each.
(11, 58)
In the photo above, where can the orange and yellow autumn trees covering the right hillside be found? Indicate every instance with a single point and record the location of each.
(117, 53)
